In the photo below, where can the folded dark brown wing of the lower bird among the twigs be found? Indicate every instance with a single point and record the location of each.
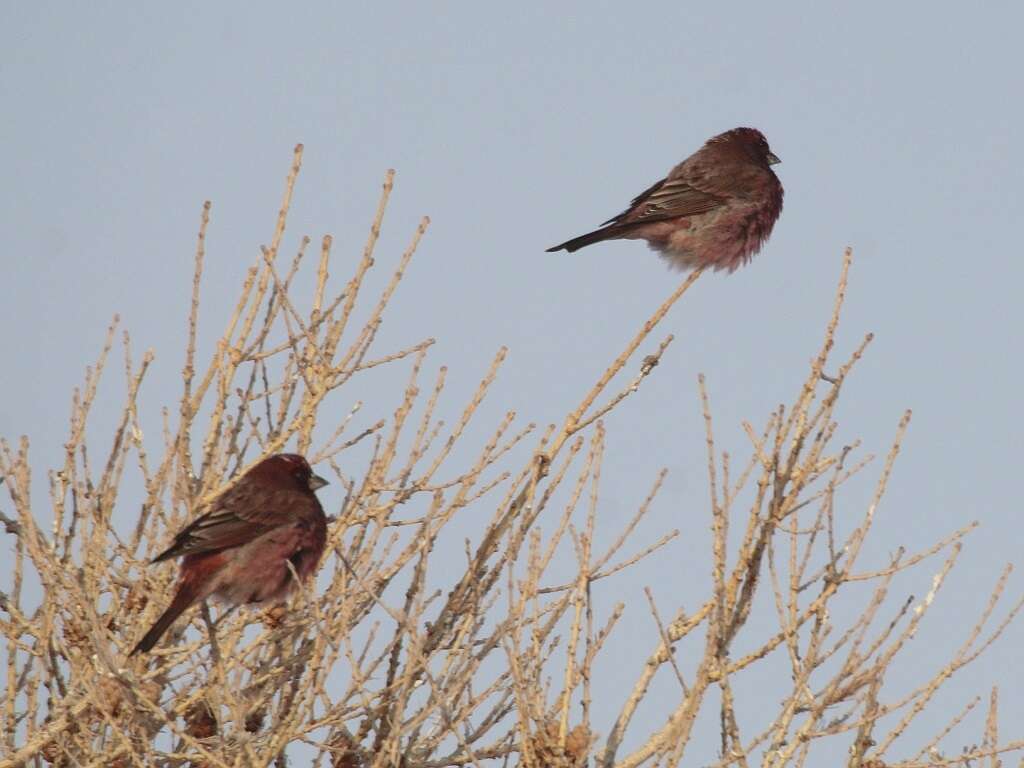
(242, 515)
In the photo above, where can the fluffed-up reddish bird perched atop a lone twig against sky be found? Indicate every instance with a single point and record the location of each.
(715, 209)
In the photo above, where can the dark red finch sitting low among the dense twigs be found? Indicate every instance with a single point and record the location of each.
(240, 550)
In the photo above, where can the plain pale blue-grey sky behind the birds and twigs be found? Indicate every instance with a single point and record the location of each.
(899, 126)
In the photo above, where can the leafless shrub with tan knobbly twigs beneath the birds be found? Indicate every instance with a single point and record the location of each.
(385, 666)
